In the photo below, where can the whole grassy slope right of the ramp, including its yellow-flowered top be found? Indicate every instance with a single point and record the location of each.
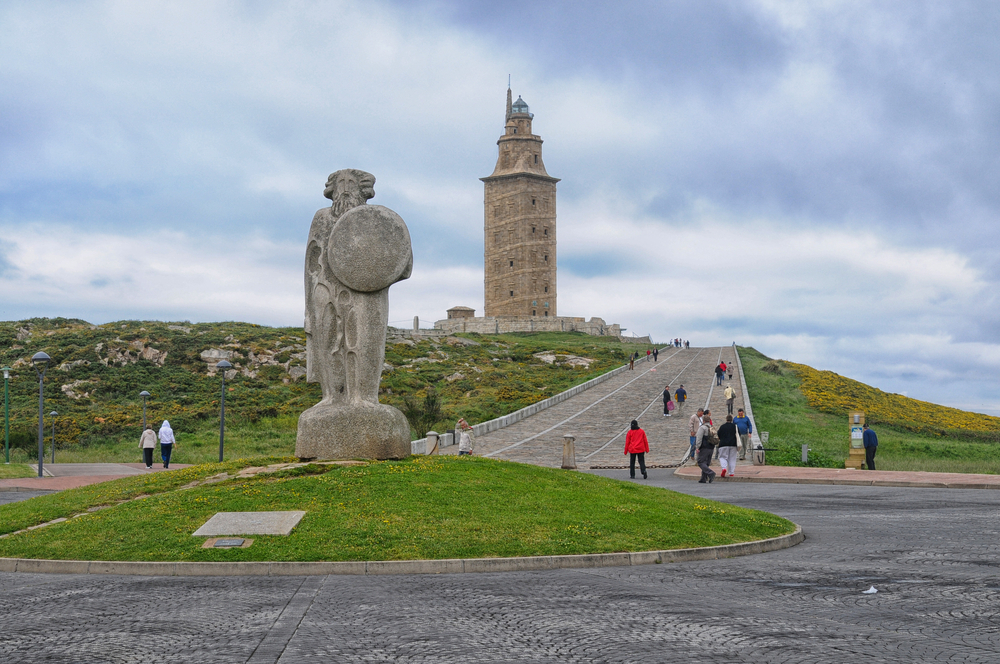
(798, 405)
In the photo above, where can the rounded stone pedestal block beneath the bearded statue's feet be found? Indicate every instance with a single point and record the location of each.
(355, 431)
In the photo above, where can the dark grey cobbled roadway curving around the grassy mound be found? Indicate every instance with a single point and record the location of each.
(931, 553)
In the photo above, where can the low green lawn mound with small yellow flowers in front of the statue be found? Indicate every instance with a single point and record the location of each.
(420, 508)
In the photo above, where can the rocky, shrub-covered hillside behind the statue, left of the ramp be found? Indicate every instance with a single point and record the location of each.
(98, 371)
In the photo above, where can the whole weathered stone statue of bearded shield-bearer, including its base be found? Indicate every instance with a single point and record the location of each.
(355, 252)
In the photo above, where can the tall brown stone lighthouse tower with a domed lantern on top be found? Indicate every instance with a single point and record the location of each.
(520, 222)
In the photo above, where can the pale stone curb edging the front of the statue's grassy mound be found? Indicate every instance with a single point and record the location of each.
(380, 567)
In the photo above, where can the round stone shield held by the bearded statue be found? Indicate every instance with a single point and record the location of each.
(369, 248)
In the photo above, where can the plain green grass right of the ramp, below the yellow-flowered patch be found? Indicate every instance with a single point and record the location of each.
(781, 409)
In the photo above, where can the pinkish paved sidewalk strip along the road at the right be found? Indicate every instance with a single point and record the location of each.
(898, 478)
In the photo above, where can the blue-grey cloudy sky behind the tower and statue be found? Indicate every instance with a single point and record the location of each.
(818, 179)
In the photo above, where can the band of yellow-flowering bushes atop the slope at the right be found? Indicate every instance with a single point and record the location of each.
(831, 393)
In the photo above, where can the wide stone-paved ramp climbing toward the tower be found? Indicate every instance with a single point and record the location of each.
(600, 416)
